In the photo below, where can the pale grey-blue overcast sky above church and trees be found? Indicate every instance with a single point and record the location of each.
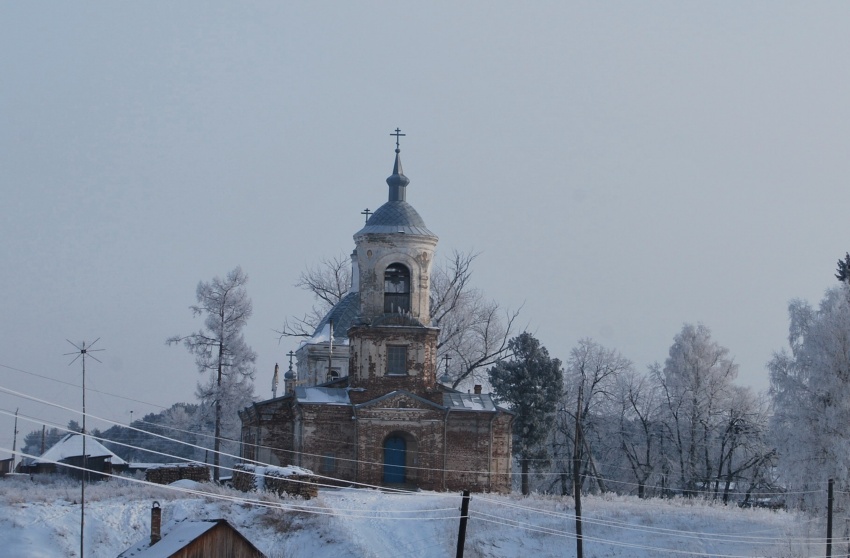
(623, 168)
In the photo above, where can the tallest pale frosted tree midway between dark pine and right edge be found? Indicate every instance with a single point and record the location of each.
(695, 383)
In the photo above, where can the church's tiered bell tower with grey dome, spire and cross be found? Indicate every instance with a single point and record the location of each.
(393, 346)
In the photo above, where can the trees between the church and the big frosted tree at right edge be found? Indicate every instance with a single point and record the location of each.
(683, 427)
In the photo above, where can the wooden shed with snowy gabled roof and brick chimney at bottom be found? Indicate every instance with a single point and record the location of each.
(210, 538)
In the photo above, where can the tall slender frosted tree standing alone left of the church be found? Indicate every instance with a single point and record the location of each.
(220, 350)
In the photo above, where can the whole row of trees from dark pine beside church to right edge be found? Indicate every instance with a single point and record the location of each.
(684, 427)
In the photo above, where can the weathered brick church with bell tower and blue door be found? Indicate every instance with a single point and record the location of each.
(364, 404)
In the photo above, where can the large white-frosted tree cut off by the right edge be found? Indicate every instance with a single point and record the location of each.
(810, 387)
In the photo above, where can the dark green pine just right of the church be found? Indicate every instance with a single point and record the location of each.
(530, 382)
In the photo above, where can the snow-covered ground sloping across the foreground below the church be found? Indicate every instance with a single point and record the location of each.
(42, 520)
